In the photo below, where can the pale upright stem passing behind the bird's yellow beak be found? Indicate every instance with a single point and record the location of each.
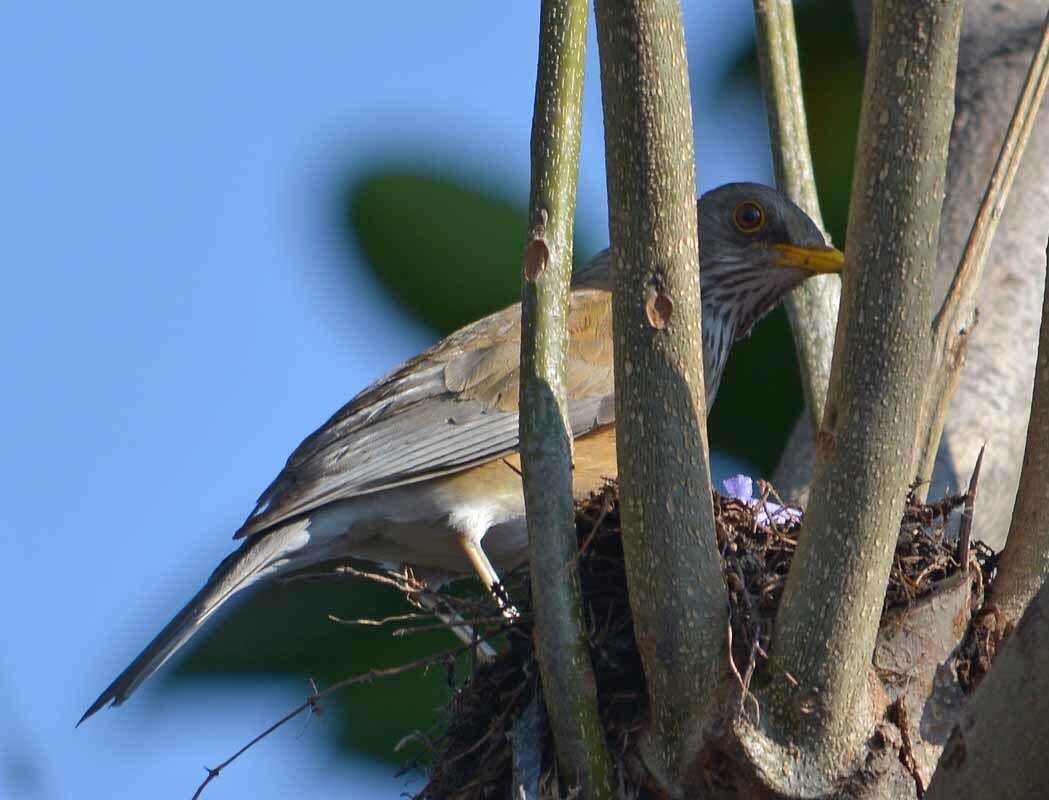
(813, 308)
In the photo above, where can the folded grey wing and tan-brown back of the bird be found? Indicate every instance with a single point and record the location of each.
(448, 409)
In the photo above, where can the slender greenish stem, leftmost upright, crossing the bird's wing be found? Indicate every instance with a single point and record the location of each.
(563, 648)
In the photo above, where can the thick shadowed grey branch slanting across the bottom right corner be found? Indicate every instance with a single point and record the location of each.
(997, 750)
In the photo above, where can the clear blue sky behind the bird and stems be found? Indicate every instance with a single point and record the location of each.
(175, 322)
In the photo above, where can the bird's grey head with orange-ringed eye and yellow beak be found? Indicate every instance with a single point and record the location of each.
(756, 246)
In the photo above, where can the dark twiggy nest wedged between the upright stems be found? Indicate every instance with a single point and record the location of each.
(475, 755)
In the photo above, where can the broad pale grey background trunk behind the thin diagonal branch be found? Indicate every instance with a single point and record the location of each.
(993, 402)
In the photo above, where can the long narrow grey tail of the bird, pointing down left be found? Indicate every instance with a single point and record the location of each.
(260, 556)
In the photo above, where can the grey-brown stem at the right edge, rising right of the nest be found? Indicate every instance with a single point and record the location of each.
(1025, 564)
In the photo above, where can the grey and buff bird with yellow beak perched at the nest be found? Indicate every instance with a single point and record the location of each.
(422, 467)
